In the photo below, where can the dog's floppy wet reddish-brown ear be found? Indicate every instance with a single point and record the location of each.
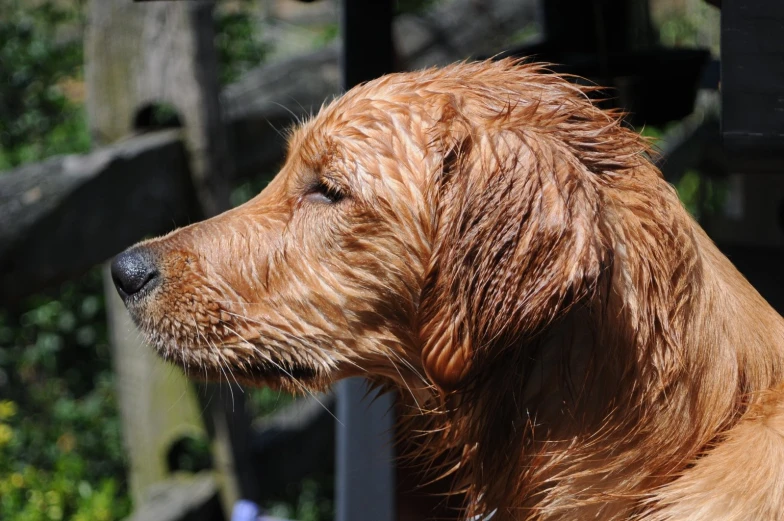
(517, 242)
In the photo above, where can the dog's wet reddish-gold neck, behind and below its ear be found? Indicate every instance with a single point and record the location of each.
(626, 391)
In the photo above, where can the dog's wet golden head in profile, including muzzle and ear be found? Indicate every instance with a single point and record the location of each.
(421, 224)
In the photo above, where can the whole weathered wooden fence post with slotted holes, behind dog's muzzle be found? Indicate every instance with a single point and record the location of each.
(141, 58)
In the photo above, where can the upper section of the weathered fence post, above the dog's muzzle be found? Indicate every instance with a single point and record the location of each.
(139, 56)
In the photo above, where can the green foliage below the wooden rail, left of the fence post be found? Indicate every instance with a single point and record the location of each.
(61, 454)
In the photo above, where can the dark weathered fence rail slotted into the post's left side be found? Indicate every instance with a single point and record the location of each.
(62, 216)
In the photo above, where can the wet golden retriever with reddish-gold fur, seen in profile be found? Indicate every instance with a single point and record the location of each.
(567, 342)
